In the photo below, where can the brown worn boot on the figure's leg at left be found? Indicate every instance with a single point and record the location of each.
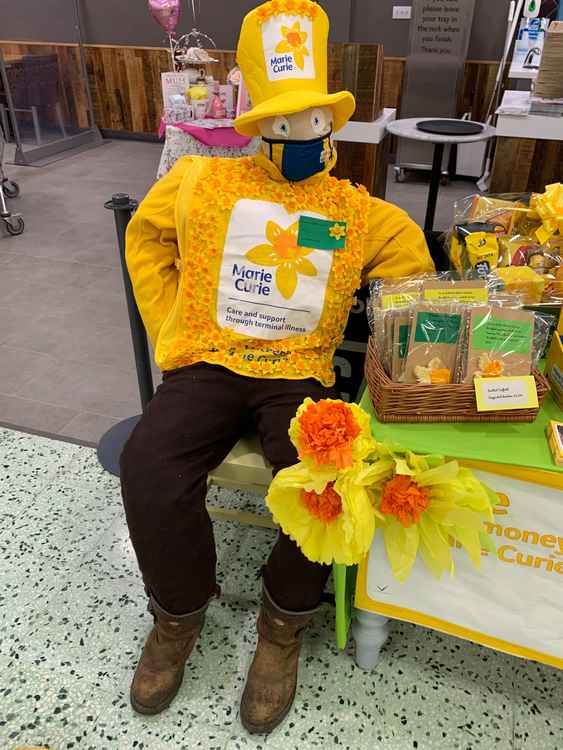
(161, 669)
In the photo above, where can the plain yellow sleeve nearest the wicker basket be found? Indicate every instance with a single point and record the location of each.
(395, 245)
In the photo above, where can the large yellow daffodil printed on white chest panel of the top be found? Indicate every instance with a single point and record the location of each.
(283, 253)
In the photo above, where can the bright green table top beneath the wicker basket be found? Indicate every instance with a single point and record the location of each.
(514, 443)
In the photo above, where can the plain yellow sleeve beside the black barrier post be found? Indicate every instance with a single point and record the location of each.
(152, 249)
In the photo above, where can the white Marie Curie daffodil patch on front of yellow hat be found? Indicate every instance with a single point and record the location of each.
(288, 47)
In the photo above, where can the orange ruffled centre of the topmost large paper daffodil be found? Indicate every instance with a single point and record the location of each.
(328, 430)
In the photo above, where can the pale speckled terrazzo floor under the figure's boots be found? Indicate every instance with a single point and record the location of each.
(73, 618)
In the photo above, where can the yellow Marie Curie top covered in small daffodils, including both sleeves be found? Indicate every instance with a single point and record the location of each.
(233, 265)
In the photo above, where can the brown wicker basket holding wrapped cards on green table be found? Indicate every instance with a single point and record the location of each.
(405, 402)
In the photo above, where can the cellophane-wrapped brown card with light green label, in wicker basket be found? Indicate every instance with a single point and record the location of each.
(500, 343)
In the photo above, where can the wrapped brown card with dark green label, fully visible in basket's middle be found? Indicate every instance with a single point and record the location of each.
(433, 344)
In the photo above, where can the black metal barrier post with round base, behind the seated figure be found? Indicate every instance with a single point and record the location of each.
(111, 444)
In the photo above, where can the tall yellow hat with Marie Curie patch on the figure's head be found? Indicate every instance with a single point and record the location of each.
(282, 54)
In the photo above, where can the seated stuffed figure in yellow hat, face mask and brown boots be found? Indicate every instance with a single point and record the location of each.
(245, 271)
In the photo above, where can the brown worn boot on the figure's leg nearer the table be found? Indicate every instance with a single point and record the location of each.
(272, 678)
